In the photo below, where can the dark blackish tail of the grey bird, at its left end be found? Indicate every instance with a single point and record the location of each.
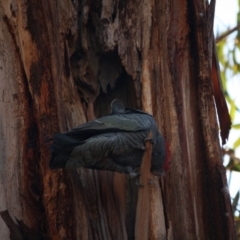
(61, 149)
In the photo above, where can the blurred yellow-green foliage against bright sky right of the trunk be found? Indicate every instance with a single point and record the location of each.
(228, 48)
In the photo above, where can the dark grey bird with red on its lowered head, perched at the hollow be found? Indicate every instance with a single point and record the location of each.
(115, 142)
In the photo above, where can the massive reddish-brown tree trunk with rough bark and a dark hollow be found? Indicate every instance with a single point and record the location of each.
(61, 64)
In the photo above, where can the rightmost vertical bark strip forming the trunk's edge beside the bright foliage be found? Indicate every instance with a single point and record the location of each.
(216, 177)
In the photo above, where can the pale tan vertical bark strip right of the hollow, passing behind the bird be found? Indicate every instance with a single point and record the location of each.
(154, 208)
